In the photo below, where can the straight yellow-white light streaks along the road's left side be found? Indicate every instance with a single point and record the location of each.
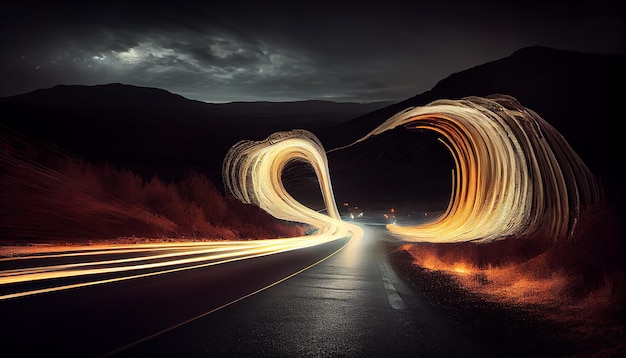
(143, 260)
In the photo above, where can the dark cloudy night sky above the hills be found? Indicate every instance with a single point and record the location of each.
(284, 51)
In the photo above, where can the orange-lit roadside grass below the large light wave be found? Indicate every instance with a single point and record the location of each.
(575, 285)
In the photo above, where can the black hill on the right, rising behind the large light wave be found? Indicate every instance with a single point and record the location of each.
(580, 94)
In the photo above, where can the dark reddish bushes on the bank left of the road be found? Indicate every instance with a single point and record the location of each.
(49, 195)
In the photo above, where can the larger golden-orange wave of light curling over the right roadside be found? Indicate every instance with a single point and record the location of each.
(515, 174)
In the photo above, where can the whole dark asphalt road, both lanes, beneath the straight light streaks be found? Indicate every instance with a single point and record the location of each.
(351, 305)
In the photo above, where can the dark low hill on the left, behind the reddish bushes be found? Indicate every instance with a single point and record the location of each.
(155, 132)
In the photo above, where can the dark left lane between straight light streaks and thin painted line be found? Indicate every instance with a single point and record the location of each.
(92, 321)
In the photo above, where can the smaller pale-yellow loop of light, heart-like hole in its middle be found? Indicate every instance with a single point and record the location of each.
(252, 173)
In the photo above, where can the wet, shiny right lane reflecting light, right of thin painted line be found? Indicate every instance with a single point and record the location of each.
(350, 305)
